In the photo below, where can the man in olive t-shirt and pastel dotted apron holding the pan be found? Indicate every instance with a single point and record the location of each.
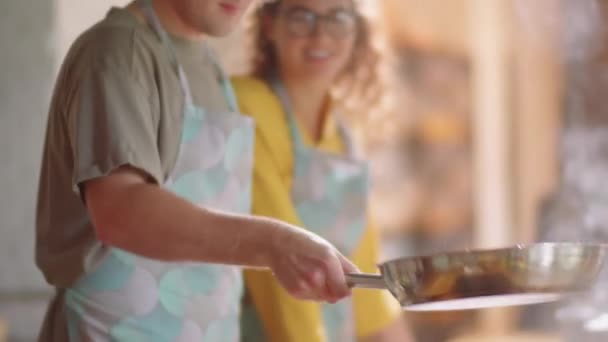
(145, 187)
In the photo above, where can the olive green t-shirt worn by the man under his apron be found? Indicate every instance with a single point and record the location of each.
(117, 102)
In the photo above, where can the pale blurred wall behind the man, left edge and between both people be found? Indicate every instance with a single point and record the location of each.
(35, 36)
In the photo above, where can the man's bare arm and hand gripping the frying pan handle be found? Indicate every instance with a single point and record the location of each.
(131, 214)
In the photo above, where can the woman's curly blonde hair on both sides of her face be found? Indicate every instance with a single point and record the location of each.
(359, 92)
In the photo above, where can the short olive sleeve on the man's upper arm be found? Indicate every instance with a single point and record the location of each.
(112, 124)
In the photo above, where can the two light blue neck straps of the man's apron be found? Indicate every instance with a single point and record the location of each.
(154, 22)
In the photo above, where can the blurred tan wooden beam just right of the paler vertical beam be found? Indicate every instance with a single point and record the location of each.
(538, 92)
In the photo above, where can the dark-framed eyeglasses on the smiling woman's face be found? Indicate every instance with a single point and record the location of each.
(302, 22)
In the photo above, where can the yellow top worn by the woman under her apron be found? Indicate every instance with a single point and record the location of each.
(286, 319)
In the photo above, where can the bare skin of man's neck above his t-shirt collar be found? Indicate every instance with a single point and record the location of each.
(169, 18)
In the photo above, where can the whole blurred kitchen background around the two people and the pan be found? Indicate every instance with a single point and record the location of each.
(496, 133)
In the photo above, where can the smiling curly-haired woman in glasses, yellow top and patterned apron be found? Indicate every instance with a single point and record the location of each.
(305, 170)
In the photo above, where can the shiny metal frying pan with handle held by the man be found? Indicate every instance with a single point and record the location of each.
(475, 279)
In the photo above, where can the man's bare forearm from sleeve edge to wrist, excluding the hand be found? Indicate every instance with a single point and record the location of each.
(147, 220)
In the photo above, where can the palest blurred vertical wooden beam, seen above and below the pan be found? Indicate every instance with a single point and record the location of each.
(492, 138)
